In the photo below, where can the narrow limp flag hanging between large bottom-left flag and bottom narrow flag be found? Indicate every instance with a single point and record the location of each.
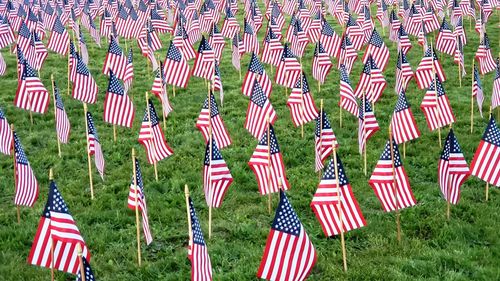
(137, 199)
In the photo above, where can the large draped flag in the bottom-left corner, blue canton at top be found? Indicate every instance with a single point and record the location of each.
(57, 237)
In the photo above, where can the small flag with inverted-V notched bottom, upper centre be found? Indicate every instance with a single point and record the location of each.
(256, 72)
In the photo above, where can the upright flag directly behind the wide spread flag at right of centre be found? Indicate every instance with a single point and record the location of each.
(403, 125)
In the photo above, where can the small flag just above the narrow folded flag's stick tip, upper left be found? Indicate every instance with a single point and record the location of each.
(84, 86)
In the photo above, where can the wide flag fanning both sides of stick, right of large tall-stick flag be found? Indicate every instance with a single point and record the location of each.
(390, 181)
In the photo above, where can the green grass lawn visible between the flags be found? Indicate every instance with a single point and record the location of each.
(466, 247)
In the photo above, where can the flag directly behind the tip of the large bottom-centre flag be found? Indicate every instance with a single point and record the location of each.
(267, 164)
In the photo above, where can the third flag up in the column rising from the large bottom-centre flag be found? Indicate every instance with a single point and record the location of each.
(259, 108)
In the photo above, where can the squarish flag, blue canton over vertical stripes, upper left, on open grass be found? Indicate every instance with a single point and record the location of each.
(118, 107)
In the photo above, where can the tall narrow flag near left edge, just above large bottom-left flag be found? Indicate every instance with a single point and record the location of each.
(26, 183)
